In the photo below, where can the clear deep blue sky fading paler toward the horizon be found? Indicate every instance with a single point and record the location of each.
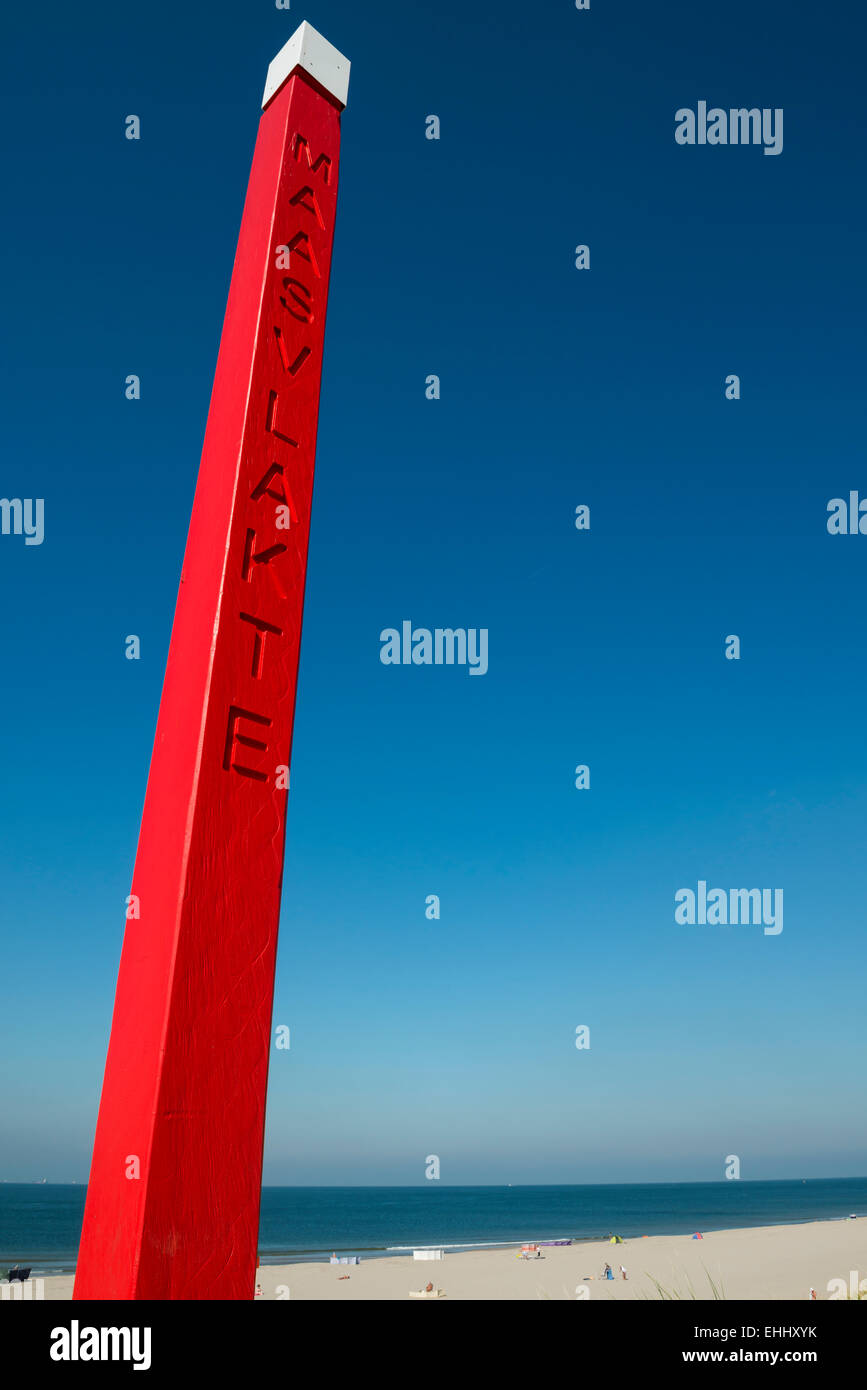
(606, 647)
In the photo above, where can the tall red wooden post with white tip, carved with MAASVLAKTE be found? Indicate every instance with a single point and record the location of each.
(174, 1192)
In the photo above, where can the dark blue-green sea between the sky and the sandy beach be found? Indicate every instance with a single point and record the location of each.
(41, 1223)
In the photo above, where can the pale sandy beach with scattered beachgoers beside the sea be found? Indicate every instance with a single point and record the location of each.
(765, 1263)
